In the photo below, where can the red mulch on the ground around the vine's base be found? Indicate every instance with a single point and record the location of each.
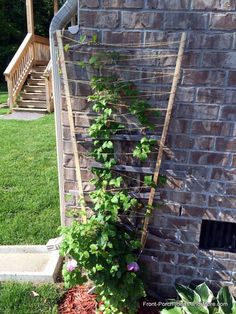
(78, 301)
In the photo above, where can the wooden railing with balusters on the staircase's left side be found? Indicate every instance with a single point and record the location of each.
(33, 50)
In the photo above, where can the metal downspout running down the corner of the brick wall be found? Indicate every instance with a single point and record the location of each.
(59, 21)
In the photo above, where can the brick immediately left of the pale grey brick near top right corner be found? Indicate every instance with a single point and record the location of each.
(186, 20)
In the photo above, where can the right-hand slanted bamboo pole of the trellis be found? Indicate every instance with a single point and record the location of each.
(164, 135)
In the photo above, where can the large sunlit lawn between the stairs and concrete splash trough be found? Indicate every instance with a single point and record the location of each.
(29, 200)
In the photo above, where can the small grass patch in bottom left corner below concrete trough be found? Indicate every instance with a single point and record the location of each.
(18, 298)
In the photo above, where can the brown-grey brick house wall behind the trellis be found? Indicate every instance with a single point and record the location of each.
(201, 136)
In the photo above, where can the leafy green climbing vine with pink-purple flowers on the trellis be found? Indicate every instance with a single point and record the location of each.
(104, 249)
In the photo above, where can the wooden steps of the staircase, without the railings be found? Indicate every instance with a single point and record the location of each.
(33, 95)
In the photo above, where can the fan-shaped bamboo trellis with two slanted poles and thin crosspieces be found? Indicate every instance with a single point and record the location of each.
(161, 140)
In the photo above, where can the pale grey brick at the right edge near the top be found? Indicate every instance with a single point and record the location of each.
(223, 21)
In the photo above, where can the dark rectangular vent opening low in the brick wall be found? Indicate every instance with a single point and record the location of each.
(218, 235)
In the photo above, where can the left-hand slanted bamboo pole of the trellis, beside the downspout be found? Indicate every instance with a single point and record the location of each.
(71, 123)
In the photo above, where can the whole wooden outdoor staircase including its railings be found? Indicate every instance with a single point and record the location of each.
(29, 76)
